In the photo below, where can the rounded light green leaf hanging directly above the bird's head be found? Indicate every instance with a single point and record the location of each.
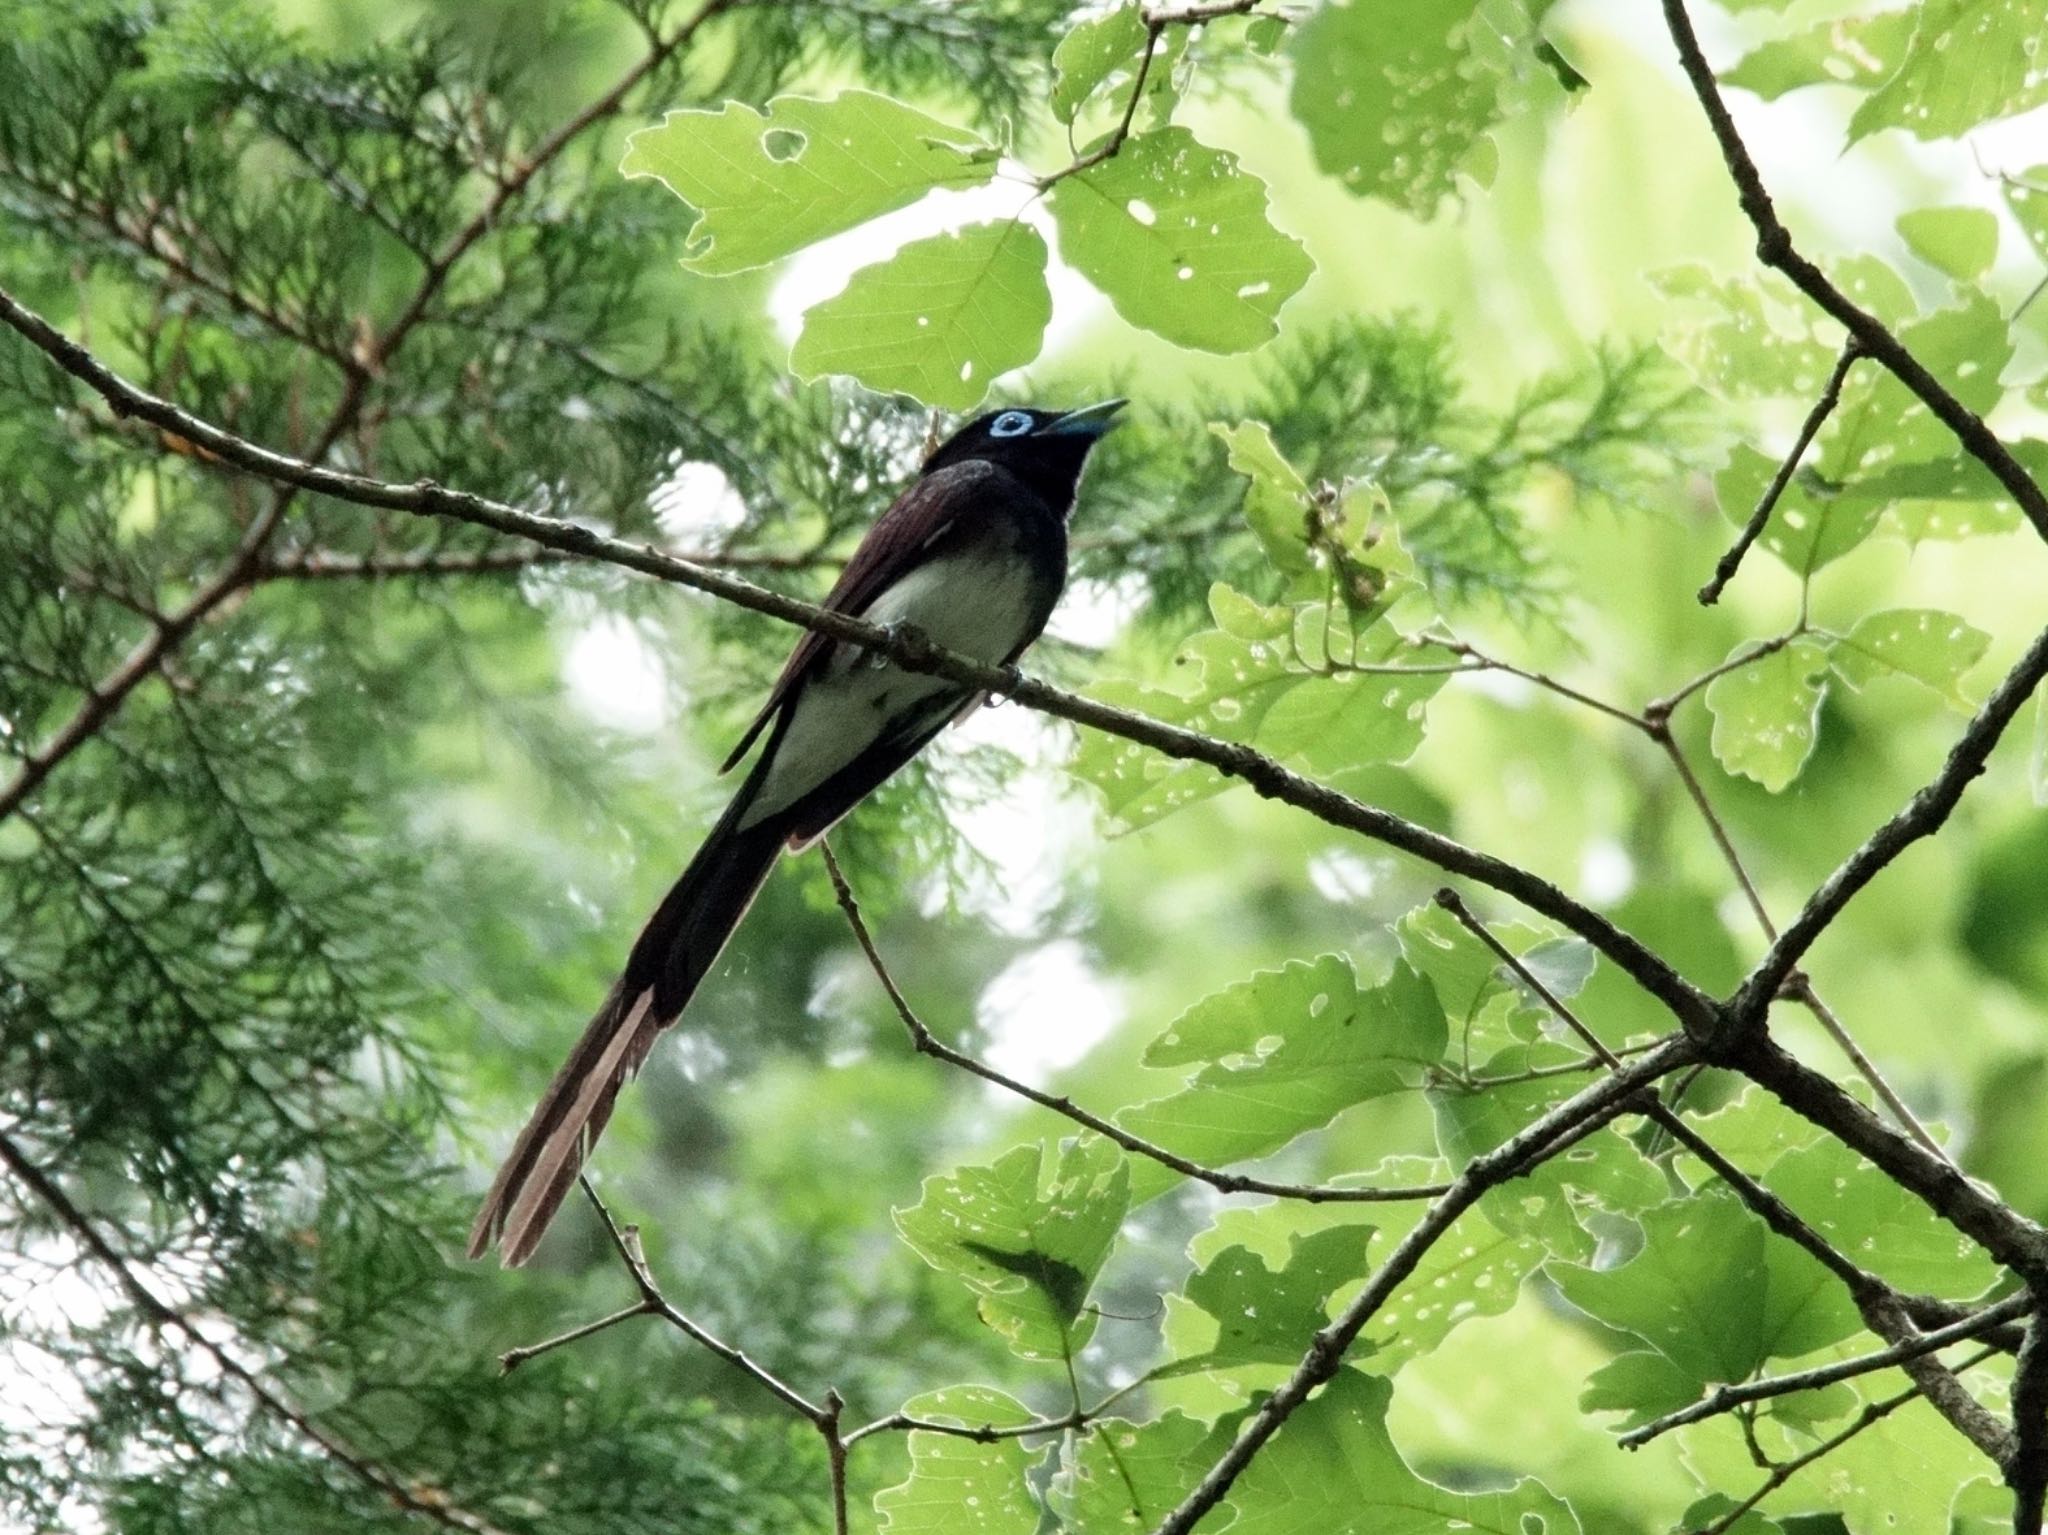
(939, 320)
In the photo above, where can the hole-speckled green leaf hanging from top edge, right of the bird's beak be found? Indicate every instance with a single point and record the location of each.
(1394, 99)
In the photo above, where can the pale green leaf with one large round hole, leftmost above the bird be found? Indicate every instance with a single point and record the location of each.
(769, 185)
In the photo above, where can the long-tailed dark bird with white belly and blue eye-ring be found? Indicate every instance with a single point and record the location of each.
(974, 558)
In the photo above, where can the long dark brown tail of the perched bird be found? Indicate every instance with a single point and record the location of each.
(673, 955)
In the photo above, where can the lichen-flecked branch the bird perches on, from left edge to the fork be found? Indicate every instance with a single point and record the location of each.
(908, 650)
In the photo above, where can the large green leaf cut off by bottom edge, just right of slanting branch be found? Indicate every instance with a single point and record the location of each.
(1334, 1471)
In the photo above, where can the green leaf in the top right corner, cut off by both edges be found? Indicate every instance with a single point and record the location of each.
(1969, 62)
